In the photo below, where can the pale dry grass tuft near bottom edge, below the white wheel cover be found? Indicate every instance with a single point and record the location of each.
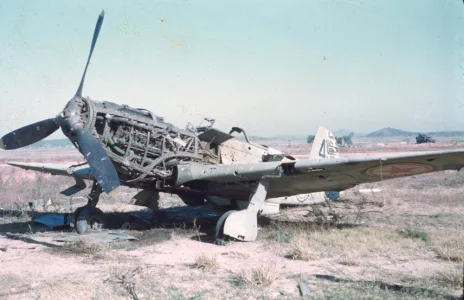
(264, 275)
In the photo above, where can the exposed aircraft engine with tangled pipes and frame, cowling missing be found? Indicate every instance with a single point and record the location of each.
(143, 147)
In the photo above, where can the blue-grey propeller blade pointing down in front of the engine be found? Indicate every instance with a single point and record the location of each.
(98, 160)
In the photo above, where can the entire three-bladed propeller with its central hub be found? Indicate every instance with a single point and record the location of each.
(72, 125)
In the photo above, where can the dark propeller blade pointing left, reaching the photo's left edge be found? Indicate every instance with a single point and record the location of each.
(28, 135)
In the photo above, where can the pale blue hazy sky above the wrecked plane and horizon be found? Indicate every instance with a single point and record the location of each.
(271, 67)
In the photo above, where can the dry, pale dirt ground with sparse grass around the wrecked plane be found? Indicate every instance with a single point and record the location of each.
(404, 242)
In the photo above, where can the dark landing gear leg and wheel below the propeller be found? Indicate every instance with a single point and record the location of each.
(89, 217)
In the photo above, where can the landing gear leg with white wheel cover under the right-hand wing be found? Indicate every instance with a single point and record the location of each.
(243, 225)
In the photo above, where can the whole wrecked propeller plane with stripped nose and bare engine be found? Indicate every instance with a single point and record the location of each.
(132, 147)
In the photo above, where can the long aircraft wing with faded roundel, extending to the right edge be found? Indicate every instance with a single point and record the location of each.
(327, 174)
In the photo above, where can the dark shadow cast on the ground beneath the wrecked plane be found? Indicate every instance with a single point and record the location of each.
(197, 221)
